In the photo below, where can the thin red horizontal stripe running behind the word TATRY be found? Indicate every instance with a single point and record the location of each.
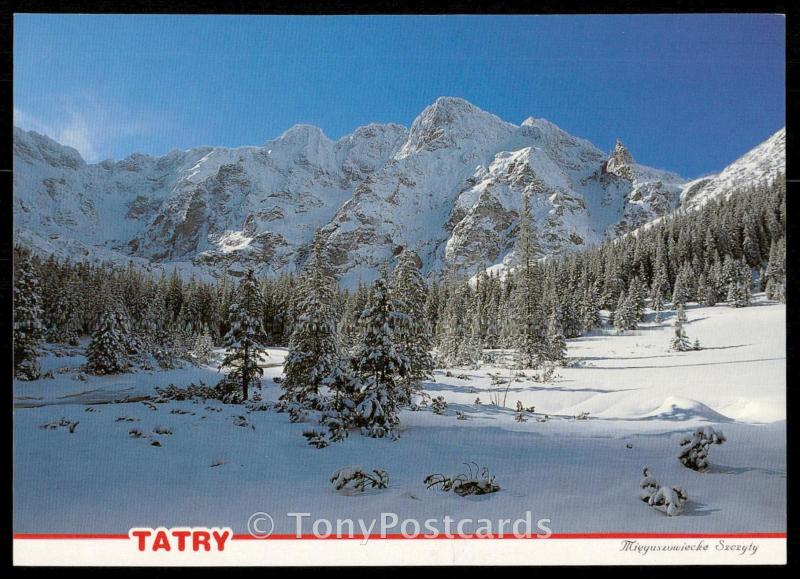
(75, 536)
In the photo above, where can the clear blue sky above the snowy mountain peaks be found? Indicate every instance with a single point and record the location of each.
(686, 93)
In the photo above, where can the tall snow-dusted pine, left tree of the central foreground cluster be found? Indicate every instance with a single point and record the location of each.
(314, 344)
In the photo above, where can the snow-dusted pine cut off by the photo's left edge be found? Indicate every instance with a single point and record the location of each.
(28, 328)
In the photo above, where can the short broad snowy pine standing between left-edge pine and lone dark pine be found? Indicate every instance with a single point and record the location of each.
(108, 350)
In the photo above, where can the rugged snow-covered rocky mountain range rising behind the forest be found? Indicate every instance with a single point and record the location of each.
(451, 188)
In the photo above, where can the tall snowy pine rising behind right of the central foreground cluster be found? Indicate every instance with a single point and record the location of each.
(414, 339)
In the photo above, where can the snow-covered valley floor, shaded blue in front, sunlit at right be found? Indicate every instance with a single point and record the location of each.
(580, 474)
